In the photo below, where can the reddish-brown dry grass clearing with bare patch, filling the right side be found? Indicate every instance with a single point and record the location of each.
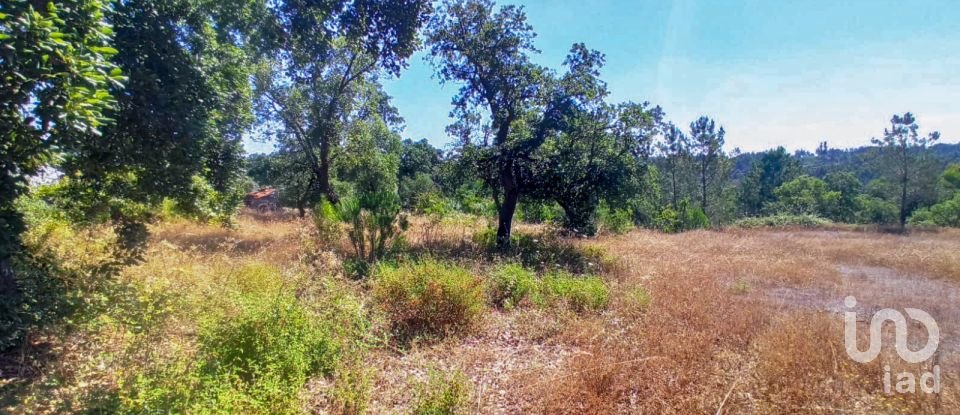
(740, 322)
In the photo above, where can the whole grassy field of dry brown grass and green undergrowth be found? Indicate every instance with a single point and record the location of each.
(730, 321)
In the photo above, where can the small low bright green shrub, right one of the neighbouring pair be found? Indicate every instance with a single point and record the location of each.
(580, 293)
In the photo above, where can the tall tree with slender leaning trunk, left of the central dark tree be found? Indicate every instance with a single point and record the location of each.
(326, 57)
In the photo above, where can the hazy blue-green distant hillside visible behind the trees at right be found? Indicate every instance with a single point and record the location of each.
(861, 160)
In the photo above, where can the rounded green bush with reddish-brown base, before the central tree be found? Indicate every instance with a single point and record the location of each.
(428, 297)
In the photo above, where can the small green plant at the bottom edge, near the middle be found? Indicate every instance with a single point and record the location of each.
(442, 394)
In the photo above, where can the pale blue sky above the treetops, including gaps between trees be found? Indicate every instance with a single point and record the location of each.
(774, 73)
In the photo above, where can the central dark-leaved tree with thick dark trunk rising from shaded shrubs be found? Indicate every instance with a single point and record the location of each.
(488, 51)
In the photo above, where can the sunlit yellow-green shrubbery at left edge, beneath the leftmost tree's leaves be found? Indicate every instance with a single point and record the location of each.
(64, 275)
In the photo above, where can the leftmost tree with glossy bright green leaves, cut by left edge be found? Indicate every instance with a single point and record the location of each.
(55, 76)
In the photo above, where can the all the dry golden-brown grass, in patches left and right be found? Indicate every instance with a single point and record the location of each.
(735, 321)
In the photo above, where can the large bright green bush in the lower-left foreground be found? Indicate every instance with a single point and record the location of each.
(254, 359)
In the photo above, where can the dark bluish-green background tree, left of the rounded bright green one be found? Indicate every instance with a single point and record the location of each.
(772, 170)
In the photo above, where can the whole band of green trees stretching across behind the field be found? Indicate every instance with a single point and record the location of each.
(142, 104)
